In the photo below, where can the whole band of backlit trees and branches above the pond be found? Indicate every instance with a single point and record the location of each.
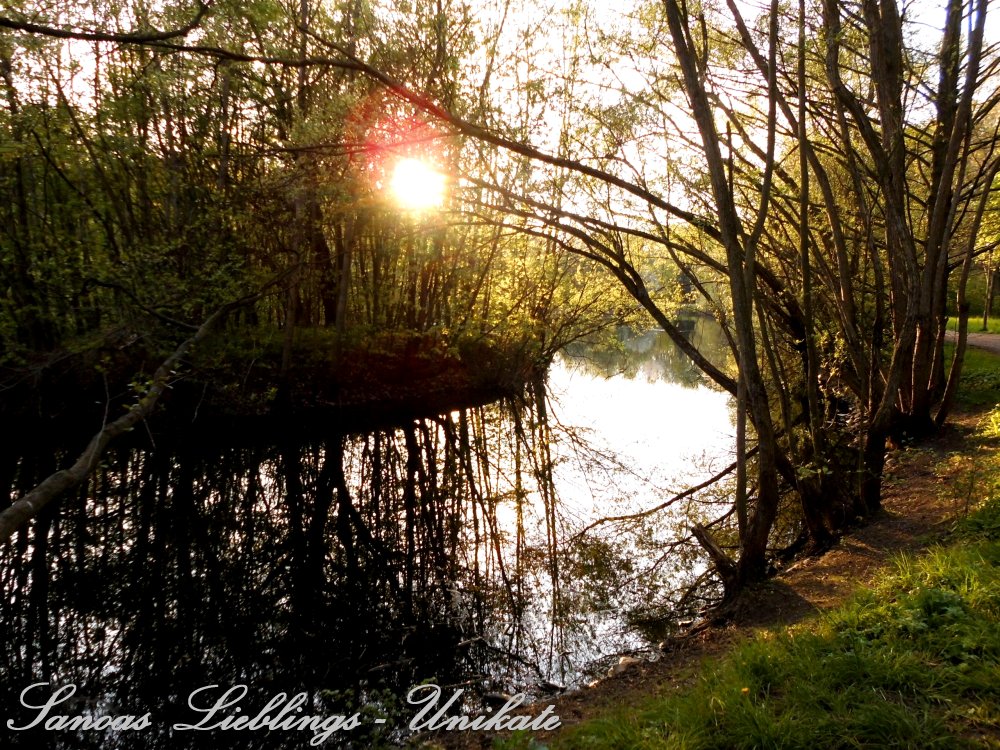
(817, 177)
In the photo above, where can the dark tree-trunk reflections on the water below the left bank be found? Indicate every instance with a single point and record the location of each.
(350, 567)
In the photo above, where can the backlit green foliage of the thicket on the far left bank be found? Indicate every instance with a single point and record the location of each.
(142, 187)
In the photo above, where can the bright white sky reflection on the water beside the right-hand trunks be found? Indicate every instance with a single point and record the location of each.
(637, 426)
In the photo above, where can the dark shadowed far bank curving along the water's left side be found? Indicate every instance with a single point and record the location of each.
(238, 387)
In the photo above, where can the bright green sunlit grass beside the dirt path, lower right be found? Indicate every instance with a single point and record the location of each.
(913, 662)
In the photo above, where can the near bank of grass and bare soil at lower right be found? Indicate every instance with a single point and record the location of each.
(910, 660)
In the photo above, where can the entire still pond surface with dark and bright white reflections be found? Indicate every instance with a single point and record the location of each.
(466, 549)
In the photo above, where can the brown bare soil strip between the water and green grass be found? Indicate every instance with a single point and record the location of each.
(921, 501)
